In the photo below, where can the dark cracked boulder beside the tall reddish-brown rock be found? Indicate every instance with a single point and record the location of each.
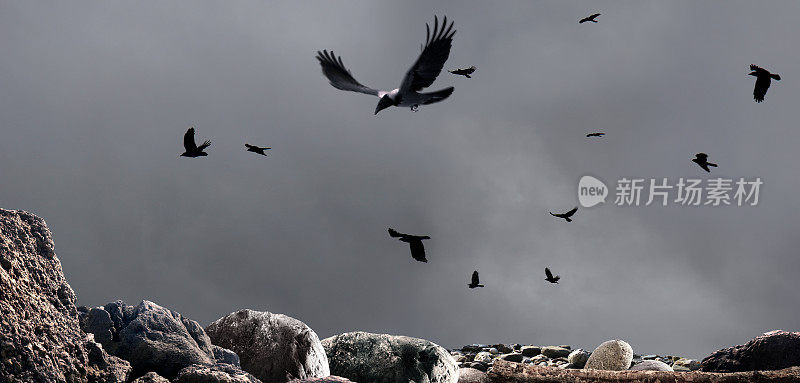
(150, 337)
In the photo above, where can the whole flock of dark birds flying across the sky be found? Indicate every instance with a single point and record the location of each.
(421, 75)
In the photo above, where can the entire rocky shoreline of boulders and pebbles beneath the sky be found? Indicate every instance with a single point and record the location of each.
(44, 337)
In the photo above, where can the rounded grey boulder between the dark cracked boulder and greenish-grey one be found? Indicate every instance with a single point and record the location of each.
(273, 347)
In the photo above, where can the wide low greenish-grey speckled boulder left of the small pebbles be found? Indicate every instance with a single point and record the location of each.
(381, 358)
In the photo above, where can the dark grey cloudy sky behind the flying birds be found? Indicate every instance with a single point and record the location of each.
(95, 98)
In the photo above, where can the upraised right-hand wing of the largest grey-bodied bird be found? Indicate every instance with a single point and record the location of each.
(430, 62)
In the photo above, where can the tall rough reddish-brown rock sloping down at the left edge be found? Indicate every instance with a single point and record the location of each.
(40, 336)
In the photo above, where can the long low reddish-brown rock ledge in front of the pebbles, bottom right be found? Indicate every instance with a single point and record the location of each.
(504, 371)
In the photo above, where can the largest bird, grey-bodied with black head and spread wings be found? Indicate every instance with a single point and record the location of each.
(421, 75)
